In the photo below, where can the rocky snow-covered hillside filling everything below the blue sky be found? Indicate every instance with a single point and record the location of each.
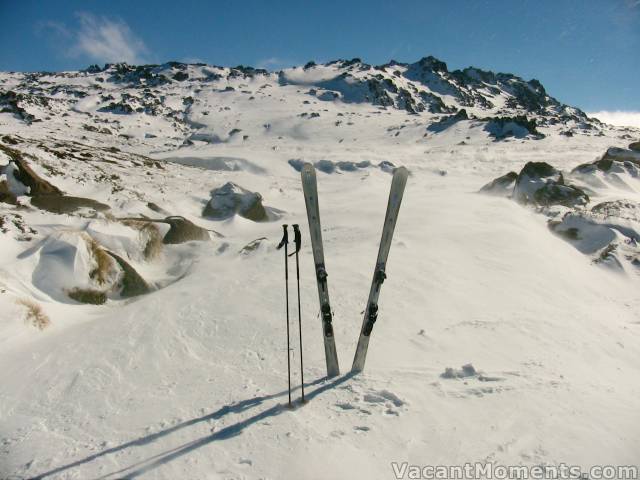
(141, 294)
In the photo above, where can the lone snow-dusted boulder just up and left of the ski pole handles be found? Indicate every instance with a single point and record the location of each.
(231, 199)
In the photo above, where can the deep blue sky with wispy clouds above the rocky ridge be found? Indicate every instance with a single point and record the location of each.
(585, 52)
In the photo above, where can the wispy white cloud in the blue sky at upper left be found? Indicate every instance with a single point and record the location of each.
(102, 39)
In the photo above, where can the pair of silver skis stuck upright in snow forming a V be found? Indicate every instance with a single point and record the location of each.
(310, 188)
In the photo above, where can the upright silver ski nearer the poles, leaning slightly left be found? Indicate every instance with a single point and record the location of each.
(310, 189)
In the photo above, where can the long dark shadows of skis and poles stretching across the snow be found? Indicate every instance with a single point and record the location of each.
(233, 430)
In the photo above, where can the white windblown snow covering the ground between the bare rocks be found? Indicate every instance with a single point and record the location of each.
(189, 381)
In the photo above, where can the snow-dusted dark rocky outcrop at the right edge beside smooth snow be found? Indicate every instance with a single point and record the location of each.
(609, 233)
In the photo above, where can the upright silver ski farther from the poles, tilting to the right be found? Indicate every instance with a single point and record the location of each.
(398, 183)
